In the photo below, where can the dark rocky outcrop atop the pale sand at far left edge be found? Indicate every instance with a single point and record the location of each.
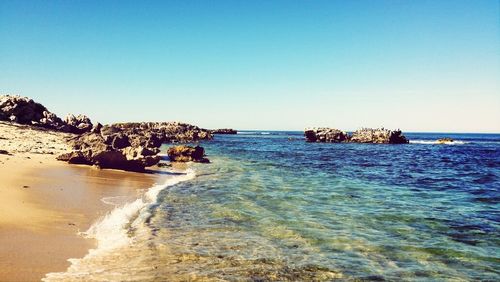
(24, 110)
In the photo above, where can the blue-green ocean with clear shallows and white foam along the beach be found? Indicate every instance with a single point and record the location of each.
(271, 207)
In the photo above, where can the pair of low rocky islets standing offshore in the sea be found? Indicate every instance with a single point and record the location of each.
(365, 135)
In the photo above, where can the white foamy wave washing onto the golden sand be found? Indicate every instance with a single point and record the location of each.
(112, 230)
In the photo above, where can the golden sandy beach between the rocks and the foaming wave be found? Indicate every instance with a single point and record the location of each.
(45, 203)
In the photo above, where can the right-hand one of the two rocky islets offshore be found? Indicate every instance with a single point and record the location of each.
(378, 136)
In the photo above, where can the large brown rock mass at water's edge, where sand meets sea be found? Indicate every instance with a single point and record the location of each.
(130, 146)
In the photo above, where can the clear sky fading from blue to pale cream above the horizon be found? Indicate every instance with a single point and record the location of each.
(271, 65)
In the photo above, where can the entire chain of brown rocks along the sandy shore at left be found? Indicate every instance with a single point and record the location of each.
(127, 146)
